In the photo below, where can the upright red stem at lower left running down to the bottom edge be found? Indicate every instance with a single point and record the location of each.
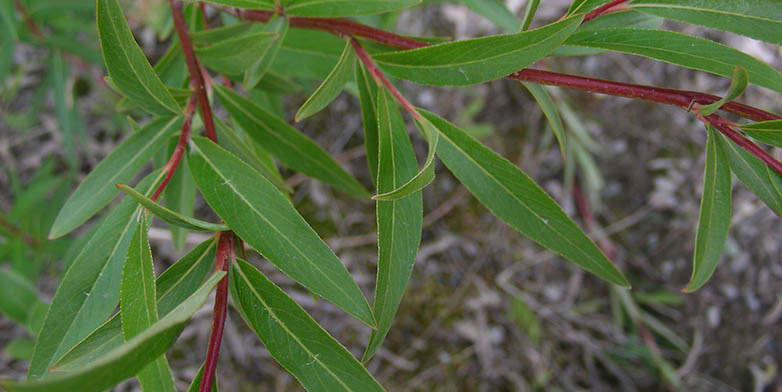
(225, 252)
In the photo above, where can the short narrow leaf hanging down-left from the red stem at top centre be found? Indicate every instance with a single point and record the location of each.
(331, 86)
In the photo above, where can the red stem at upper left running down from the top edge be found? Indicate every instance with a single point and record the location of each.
(193, 68)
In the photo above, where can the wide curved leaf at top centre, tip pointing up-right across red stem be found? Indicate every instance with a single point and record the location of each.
(476, 60)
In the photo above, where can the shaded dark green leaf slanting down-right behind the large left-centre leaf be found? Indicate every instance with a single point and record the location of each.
(290, 146)
